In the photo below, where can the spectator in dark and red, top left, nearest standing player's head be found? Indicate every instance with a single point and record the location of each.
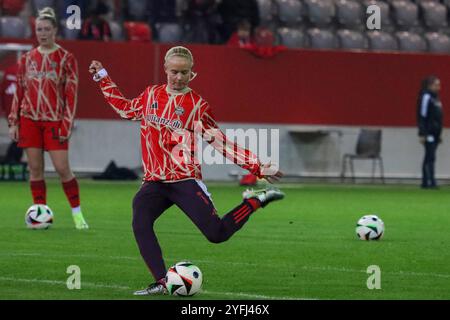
(96, 27)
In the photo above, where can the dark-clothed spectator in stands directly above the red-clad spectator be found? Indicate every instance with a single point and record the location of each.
(234, 11)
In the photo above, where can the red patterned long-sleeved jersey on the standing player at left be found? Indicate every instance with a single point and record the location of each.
(47, 84)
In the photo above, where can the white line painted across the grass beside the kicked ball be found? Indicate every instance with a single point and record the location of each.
(116, 287)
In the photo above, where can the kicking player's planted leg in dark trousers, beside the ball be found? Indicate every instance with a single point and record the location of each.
(148, 204)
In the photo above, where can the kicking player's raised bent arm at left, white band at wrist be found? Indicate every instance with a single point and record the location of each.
(127, 109)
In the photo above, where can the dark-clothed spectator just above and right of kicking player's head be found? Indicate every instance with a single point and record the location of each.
(202, 19)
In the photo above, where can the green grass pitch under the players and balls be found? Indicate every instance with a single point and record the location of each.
(303, 247)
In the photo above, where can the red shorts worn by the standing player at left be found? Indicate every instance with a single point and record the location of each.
(40, 134)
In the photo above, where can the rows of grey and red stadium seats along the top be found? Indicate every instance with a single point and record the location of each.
(406, 25)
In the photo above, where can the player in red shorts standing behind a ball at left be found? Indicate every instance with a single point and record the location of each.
(43, 111)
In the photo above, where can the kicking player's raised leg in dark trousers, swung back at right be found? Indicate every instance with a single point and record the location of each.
(192, 197)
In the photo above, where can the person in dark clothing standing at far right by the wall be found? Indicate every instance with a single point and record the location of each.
(429, 119)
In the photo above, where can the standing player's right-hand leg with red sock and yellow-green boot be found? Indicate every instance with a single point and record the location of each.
(60, 159)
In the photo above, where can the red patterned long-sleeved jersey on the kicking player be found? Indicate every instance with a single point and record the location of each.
(170, 120)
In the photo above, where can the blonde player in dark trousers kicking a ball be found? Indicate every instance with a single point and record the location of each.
(167, 112)
